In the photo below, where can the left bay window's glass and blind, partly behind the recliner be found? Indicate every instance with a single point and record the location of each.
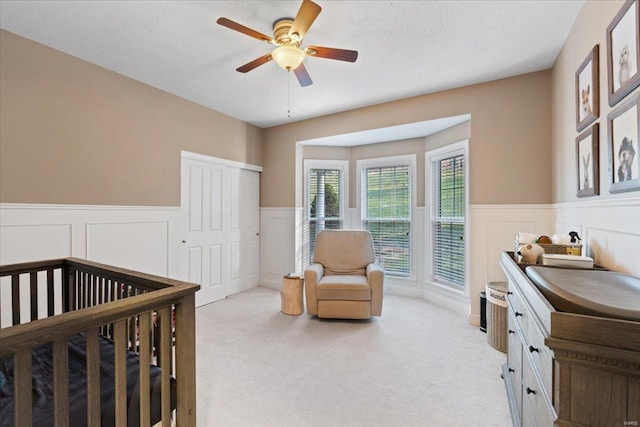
(324, 202)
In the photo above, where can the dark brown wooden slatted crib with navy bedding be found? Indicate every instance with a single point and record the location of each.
(142, 327)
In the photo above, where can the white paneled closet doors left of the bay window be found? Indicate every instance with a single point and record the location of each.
(220, 207)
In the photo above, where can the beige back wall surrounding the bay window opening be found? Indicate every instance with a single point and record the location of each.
(510, 143)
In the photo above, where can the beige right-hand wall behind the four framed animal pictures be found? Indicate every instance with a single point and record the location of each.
(588, 30)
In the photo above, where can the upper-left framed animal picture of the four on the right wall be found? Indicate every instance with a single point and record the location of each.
(588, 90)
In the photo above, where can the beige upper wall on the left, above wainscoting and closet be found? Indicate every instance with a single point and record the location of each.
(74, 133)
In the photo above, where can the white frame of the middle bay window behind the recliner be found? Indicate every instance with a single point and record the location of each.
(391, 161)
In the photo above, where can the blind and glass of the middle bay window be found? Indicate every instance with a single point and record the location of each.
(387, 215)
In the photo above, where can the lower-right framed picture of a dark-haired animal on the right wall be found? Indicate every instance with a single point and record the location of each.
(624, 158)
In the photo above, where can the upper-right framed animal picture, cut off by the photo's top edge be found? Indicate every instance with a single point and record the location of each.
(623, 52)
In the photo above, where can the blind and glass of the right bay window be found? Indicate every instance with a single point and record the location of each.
(449, 220)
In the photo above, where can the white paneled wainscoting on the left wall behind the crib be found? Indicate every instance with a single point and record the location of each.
(138, 238)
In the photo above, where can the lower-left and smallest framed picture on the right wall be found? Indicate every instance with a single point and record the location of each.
(588, 162)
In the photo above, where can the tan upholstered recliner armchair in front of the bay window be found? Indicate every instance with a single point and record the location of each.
(344, 280)
